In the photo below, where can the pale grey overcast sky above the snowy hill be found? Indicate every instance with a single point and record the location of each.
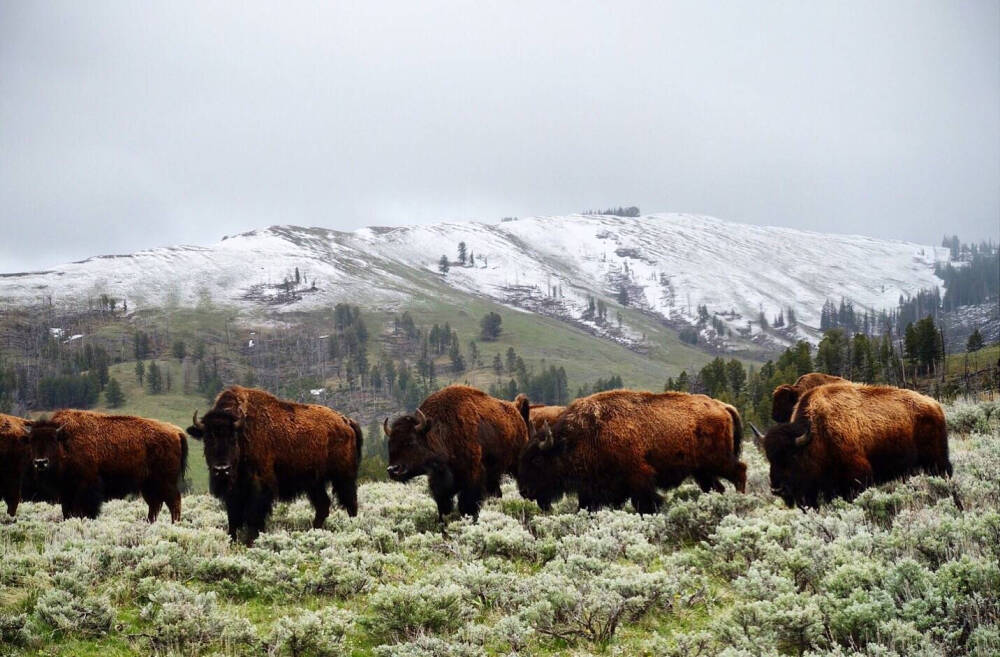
(127, 125)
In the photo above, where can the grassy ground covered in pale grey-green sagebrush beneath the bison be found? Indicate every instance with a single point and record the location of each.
(900, 571)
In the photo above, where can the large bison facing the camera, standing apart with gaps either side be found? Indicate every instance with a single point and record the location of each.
(260, 448)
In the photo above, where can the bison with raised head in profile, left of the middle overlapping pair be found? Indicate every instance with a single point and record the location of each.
(463, 440)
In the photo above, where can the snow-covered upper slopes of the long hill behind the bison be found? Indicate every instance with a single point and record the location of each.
(669, 264)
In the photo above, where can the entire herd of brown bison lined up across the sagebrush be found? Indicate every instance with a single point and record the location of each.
(832, 438)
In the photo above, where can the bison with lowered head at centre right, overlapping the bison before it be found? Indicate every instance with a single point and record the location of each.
(624, 444)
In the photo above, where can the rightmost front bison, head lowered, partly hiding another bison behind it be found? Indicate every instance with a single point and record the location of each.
(844, 438)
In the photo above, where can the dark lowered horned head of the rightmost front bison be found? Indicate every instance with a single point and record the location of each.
(793, 473)
